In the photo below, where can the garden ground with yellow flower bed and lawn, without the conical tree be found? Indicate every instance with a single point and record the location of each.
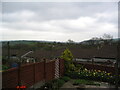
(81, 79)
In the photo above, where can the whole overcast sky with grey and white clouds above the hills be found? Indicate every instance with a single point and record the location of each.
(58, 21)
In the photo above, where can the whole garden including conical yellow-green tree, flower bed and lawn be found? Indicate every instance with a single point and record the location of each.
(78, 76)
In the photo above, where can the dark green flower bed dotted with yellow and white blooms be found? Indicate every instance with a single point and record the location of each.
(96, 75)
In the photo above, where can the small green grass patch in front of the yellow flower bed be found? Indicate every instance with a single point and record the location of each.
(85, 82)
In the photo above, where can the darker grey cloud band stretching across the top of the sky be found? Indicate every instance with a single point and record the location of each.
(49, 11)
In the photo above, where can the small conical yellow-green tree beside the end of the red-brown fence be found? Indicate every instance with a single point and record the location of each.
(68, 57)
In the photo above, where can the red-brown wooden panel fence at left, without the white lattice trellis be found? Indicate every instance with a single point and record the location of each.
(31, 73)
